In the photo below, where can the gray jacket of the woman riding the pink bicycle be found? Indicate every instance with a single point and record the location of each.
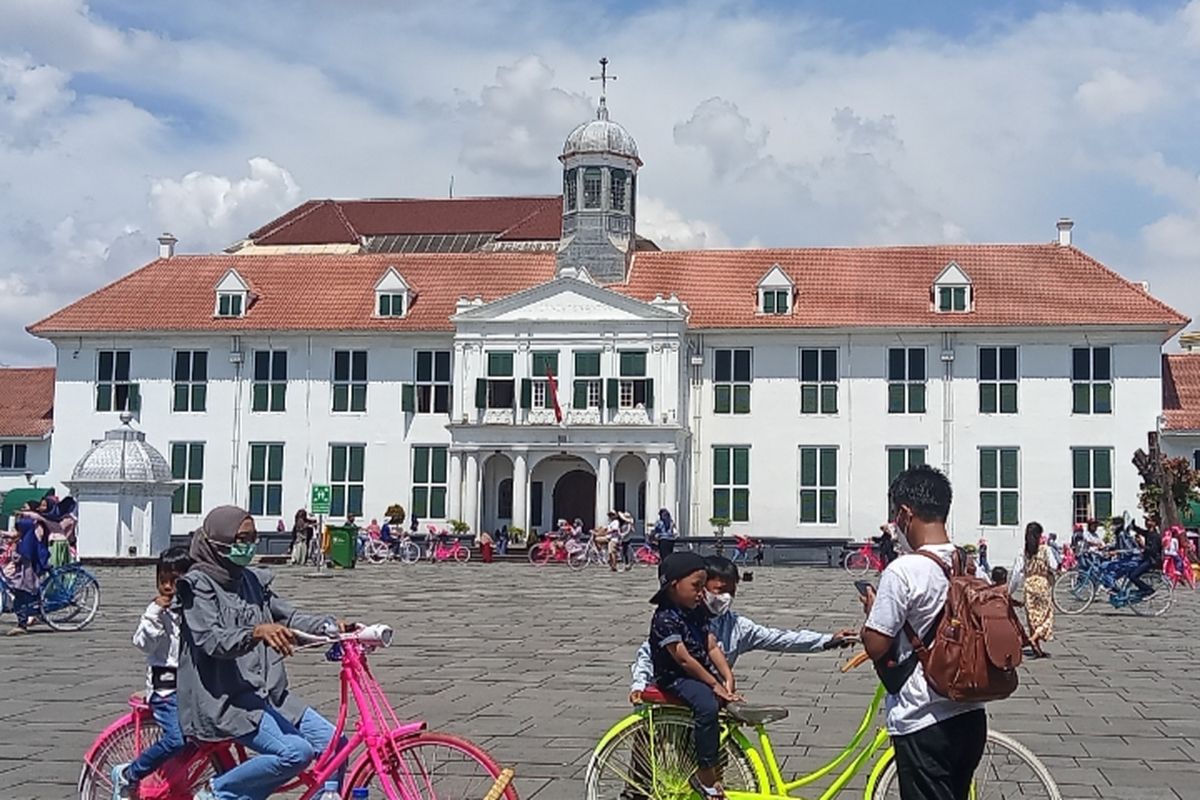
(226, 678)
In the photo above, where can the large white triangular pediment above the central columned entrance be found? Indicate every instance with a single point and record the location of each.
(567, 300)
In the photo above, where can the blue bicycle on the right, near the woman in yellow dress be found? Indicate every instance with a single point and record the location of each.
(1076, 590)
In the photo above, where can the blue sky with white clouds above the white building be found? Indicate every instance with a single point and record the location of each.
(783, 124)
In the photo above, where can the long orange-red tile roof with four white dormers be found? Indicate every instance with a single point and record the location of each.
(1013, 286)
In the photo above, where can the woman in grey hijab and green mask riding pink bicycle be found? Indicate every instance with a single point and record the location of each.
(232, 683)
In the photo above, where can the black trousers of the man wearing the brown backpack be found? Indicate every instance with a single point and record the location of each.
(939, 762)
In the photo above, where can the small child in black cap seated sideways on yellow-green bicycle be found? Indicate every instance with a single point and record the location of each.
(688, 660)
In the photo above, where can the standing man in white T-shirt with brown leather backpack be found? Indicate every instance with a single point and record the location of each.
(923, 601)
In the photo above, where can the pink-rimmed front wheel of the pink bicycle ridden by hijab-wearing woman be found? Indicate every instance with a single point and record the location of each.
(431, 767)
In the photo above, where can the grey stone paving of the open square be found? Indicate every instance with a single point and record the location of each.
(533, 664)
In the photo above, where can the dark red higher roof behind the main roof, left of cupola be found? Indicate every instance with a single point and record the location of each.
(323, 222)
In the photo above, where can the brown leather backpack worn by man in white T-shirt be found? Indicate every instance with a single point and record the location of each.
(979, 640)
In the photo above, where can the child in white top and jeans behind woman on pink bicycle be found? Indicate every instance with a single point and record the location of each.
(158, 637)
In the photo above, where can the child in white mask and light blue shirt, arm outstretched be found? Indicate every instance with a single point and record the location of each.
(736, 634)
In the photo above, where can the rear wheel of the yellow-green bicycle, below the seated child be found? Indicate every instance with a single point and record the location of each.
(646, 761)
